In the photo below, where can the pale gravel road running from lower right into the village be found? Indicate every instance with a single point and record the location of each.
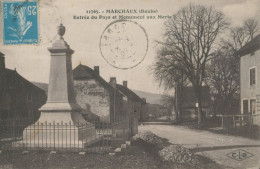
(214, 146)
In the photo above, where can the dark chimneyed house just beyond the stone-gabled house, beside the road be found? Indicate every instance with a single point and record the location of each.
(134, 106)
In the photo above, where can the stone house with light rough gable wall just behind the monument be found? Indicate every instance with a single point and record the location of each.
(99, 100)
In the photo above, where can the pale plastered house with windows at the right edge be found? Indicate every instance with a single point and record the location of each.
(249, 79)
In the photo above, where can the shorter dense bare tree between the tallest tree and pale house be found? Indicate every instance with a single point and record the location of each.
(223, 79)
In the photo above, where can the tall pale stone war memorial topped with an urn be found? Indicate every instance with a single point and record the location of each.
(61, 124)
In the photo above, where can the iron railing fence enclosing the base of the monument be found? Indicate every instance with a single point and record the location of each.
(95, 136)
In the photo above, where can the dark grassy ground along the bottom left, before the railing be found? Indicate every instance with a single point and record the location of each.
(132, 157)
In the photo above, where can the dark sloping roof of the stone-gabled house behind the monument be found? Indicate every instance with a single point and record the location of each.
(82, 72)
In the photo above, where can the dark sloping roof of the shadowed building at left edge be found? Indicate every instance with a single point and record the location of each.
(11, 80)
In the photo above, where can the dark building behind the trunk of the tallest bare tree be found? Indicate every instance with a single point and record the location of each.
(189, 102)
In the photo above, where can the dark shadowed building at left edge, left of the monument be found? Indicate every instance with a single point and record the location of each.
(19, 98)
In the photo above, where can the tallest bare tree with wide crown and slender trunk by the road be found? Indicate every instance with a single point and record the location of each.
(188, 42)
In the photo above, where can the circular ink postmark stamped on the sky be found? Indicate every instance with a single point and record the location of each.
(124, 44)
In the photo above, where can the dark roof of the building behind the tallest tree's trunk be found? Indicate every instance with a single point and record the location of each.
(189, 97)
